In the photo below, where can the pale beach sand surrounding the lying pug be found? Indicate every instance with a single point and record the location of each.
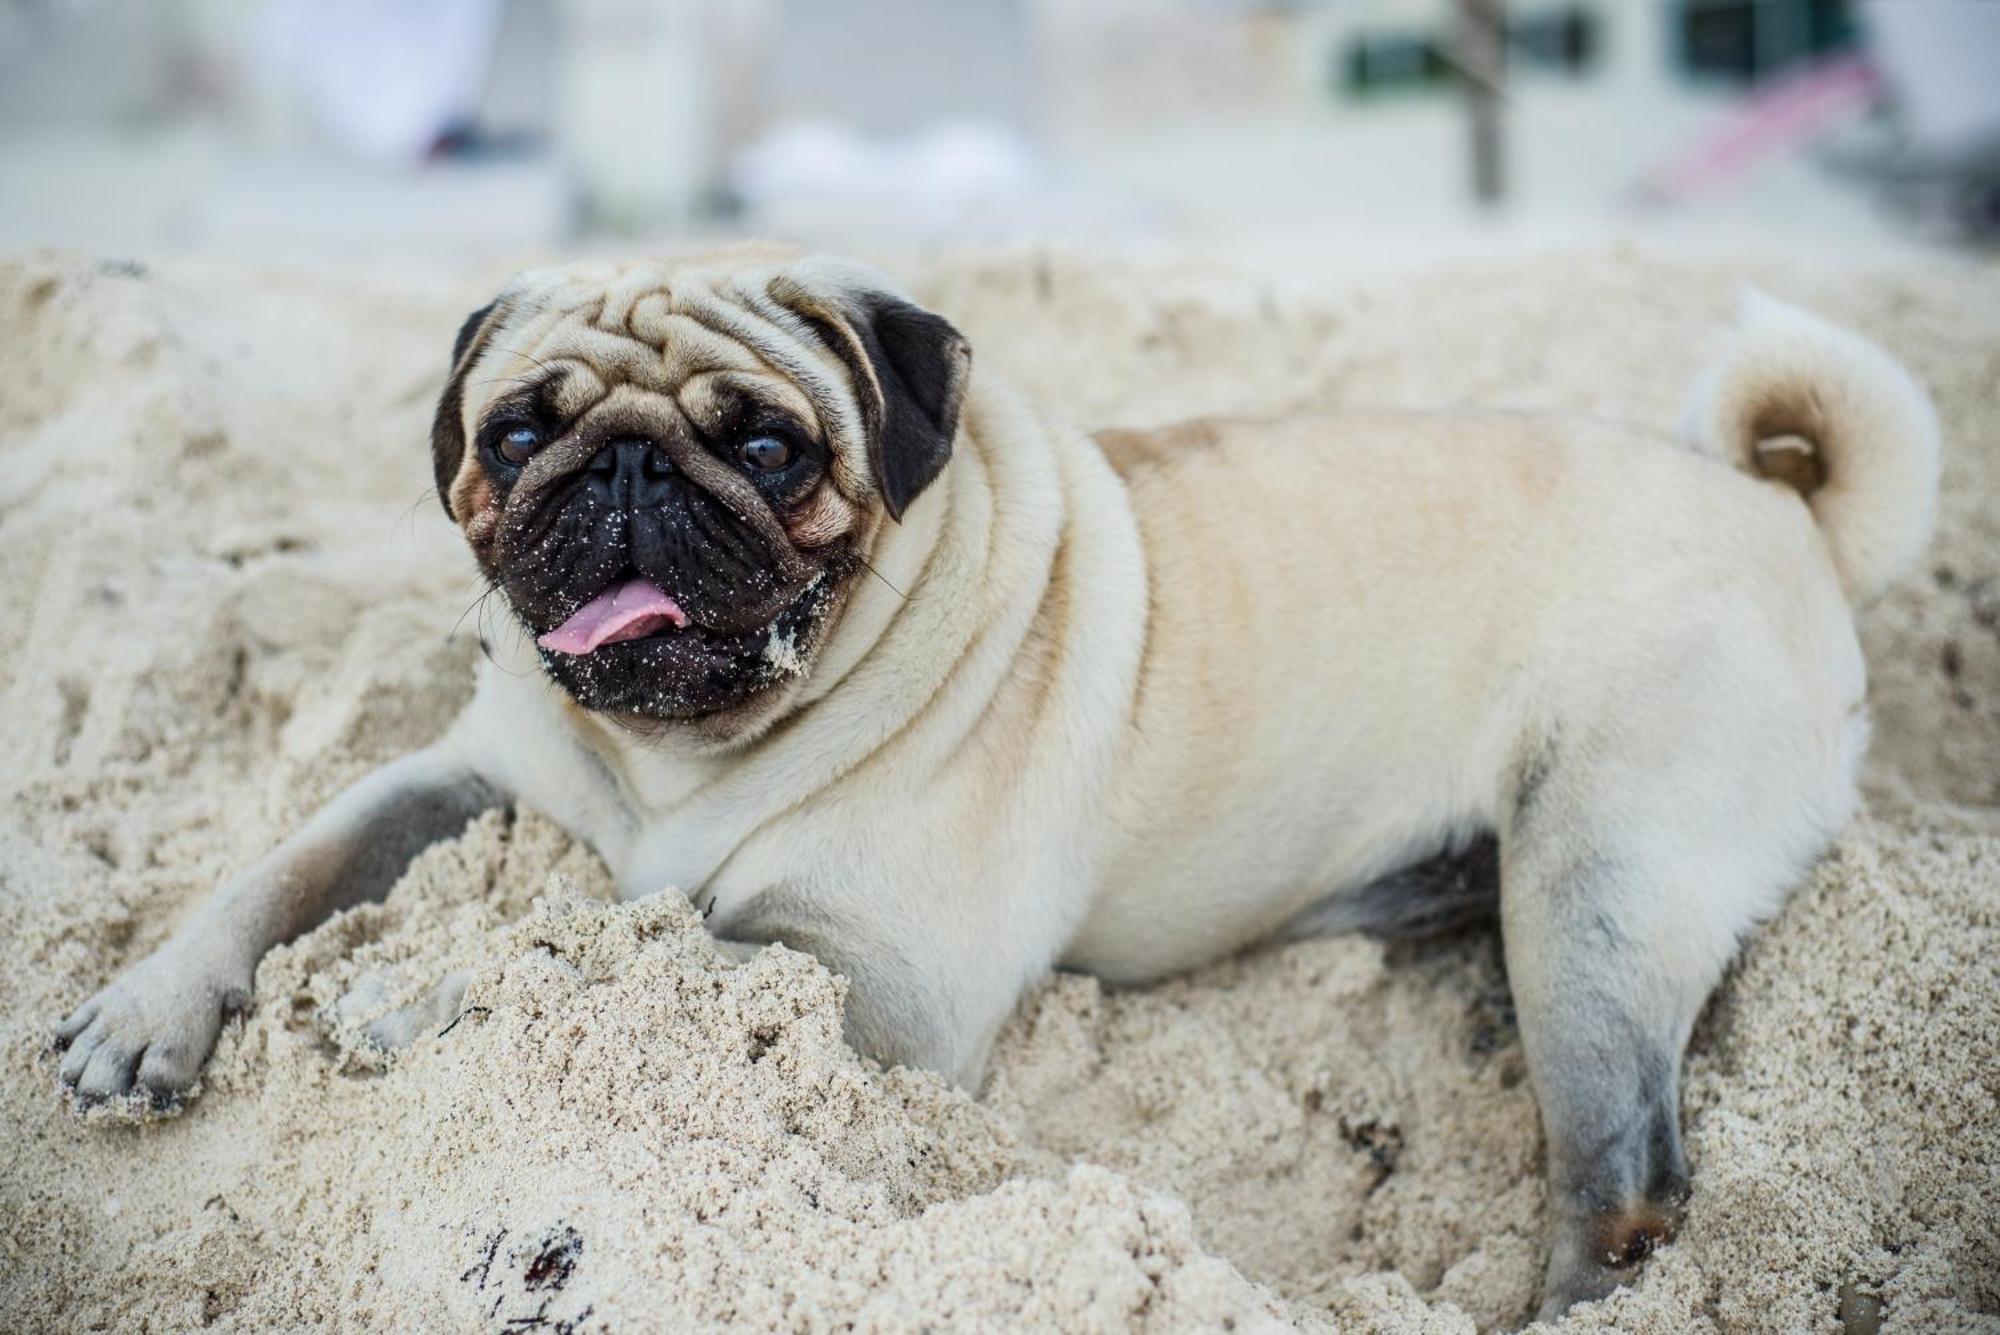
(229, 599)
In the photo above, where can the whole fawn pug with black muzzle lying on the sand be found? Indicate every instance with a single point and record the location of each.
(873, 661)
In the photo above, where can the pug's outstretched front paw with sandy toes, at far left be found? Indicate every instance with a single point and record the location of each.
(147, 1036)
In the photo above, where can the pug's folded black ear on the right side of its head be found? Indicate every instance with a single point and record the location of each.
(911, 373)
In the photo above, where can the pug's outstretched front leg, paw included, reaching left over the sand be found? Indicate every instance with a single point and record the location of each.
(153, 1028)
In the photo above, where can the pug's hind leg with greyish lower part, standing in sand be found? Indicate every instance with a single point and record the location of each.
(1625, 888)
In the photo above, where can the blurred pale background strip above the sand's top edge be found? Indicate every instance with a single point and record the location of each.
(1293, 133)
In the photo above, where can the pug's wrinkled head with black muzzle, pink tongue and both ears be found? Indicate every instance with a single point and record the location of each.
(675, 469)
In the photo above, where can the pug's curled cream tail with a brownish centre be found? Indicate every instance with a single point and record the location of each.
(1827, 413)
